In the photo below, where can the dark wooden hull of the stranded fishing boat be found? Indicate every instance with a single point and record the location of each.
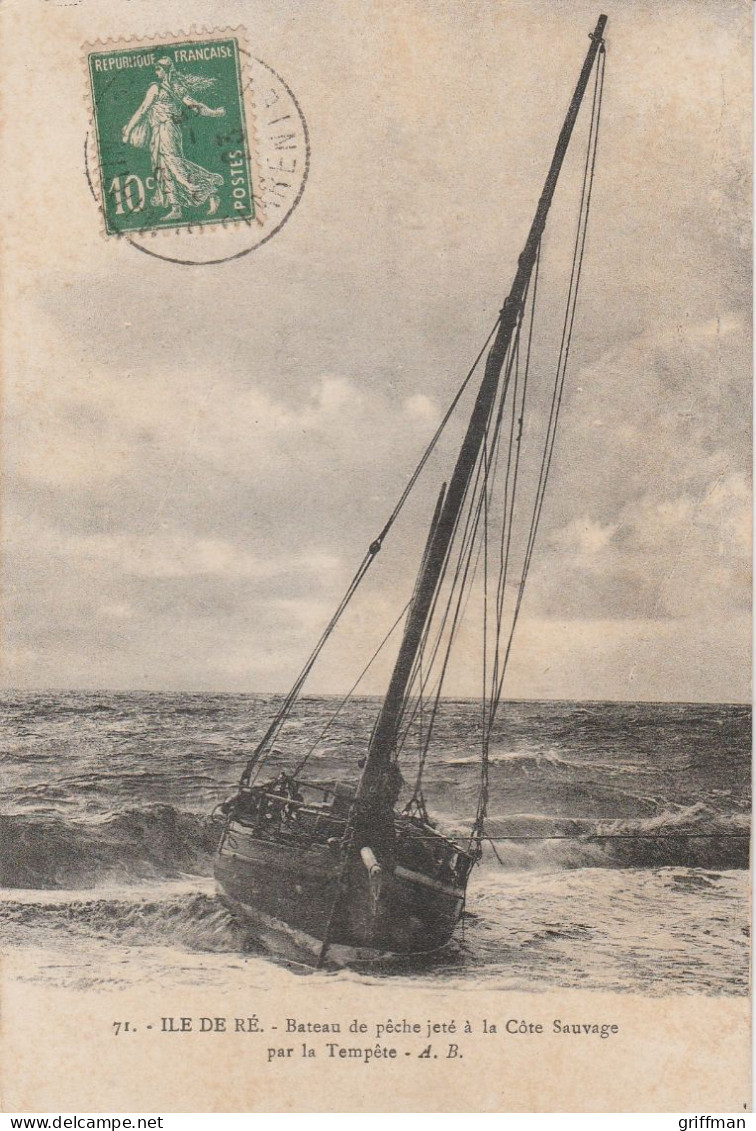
(295, 896)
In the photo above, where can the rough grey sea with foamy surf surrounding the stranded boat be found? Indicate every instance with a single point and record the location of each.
(616, 860)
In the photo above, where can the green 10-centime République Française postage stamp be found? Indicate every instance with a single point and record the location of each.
(173, 141)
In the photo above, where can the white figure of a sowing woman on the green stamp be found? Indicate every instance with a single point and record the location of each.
(158, 125)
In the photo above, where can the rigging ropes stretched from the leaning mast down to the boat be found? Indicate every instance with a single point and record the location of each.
(426, 674)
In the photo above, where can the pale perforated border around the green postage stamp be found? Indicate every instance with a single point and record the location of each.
(195, 33)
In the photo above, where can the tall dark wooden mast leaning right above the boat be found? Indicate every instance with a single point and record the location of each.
(385, 733)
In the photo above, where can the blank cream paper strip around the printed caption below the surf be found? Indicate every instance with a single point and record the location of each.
(58, 1052)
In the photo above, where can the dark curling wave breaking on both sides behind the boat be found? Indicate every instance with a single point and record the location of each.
(161, 842)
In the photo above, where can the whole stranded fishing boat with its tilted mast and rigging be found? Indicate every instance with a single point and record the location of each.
(343, 871)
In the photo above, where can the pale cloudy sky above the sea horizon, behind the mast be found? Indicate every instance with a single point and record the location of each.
(196, 459)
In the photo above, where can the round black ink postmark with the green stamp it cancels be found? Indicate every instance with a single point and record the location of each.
(177, 187)
